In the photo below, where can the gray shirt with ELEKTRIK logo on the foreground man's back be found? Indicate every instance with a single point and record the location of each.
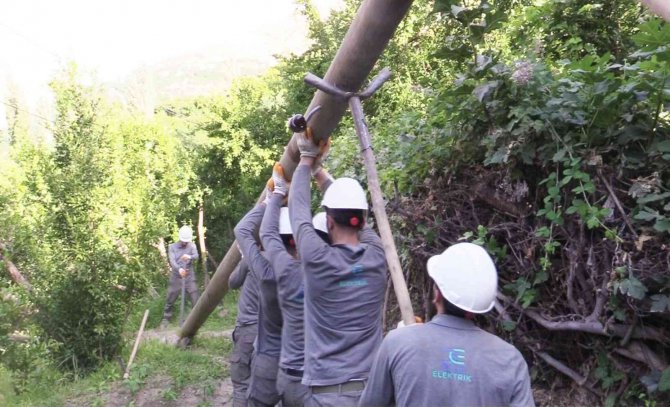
(448, 361)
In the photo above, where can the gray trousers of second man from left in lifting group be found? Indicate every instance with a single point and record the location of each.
(263, 383)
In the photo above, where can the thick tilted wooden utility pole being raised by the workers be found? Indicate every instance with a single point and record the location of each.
(369, 33)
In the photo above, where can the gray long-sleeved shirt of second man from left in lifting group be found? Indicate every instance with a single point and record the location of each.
(269, 314)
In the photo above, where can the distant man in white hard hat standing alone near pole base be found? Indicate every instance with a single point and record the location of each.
(181, 256)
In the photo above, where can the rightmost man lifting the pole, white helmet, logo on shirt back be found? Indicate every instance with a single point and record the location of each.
(344, 285)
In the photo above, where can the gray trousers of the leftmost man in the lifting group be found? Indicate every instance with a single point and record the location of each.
(240, 362)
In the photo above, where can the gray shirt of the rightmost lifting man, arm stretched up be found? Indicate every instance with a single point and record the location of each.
(344, 294)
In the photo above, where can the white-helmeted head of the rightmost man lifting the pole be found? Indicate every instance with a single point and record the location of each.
(346, 203)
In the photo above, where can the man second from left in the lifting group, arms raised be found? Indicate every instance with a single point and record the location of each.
(265, 363)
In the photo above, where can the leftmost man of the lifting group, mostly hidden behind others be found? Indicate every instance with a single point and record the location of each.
(246, 328)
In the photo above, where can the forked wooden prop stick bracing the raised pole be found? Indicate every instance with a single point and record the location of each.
(378, 205)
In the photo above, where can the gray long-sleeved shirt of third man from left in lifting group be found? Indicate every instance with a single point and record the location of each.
(290, 287)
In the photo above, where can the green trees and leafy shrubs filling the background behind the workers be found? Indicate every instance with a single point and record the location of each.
(559, 109)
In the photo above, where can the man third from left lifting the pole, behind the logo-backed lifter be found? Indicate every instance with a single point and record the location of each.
(277, 239)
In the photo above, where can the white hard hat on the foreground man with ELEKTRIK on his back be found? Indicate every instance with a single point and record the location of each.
(466, 277)
